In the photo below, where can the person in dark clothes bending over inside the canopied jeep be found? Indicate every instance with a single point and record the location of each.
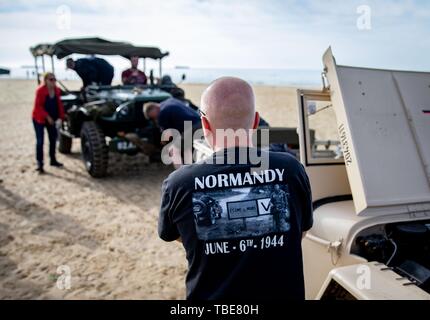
(92, 70)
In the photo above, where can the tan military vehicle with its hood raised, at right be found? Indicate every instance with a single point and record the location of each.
(365, 143)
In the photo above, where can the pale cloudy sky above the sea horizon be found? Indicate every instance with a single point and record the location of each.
(231, 33)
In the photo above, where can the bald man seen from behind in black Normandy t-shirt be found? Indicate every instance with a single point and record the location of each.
(237, 246)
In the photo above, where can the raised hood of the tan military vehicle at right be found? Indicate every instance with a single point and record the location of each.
(383, 119)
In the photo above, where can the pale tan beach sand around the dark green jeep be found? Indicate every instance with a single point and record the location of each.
(104, 230)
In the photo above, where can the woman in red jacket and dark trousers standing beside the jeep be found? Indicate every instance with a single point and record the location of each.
(48, 108)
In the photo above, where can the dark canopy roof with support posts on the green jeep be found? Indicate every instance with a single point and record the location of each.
(92, 46)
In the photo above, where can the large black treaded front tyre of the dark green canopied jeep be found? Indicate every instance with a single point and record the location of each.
(94, 149)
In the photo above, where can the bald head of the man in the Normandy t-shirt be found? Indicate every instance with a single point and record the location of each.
(228, 103)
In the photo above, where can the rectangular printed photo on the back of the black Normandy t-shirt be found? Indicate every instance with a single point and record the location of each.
(241, 212)
